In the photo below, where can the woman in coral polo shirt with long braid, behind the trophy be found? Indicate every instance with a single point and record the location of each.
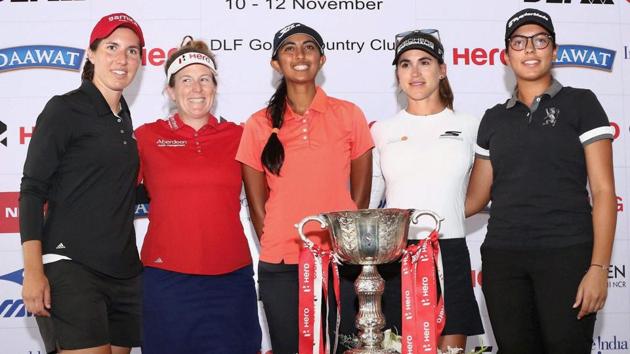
(305, 153)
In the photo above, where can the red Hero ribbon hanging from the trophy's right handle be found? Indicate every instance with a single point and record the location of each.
(423, 316)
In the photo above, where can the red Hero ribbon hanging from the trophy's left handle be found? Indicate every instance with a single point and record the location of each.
(313, 291)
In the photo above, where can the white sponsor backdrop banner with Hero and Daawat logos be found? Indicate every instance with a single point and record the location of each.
(43, 46)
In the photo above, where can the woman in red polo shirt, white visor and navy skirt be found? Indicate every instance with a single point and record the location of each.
(199, 294)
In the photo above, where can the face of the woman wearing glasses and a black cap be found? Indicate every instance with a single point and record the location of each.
(531, 64)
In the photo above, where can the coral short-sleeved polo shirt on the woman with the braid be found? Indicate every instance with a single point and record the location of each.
(315, 177)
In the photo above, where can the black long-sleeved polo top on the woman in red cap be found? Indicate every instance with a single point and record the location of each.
(83, 161)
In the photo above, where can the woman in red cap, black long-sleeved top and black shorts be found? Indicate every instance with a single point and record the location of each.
(81, 265)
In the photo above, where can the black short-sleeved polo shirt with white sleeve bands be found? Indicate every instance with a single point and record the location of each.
(539, 196)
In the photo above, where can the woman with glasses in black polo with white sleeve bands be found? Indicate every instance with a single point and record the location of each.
(547, 250)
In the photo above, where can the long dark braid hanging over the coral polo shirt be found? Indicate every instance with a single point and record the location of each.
(272, 156)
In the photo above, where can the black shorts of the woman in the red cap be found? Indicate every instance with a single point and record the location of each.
(90, 309)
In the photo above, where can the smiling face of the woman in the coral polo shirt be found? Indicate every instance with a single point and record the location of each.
(299, 59)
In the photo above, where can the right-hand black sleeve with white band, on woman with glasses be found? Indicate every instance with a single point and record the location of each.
(593, 122)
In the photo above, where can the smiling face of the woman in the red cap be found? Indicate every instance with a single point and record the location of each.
(116, 61)
